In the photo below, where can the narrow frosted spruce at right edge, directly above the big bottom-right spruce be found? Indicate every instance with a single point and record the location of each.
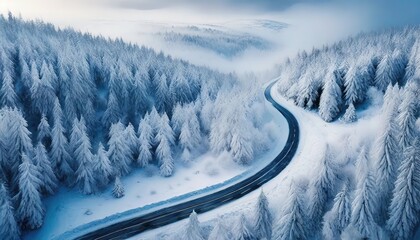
(407, 118)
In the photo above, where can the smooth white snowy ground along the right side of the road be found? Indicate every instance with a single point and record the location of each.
(315, 134)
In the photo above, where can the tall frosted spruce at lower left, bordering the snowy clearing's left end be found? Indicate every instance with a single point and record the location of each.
(30, 212)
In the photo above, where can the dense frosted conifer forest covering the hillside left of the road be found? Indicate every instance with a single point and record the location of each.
(83, 111)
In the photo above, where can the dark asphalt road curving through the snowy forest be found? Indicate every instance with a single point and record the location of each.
(168, 215)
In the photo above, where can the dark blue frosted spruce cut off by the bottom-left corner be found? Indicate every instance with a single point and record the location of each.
(9, 228)
